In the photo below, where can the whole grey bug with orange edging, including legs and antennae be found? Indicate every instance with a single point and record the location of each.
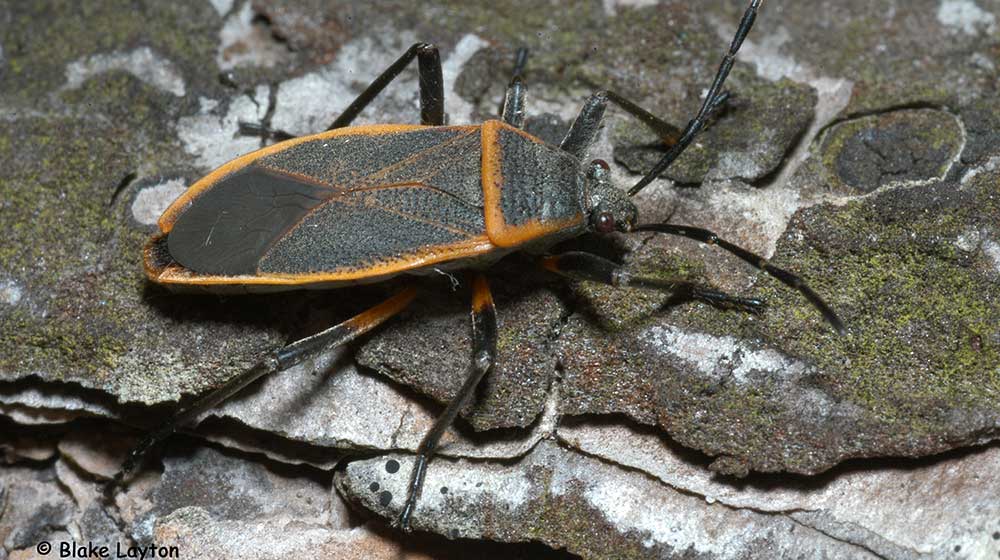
(362, 204)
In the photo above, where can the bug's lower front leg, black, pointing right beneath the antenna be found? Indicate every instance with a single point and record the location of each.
(586, 266)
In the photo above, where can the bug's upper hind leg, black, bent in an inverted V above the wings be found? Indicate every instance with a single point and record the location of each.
(431, 86)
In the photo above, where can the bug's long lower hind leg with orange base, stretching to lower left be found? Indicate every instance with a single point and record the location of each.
(275, 361)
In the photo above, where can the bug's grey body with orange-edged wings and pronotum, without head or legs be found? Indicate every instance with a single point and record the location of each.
(361, 204)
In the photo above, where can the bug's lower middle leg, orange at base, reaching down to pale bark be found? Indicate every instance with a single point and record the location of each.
(484, 350)
